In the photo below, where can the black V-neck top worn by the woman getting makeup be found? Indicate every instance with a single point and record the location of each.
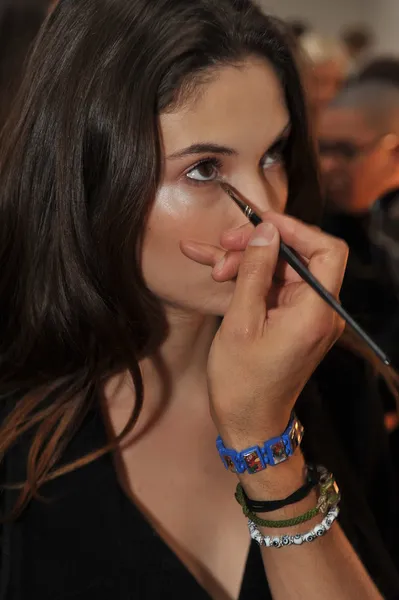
(90, 543)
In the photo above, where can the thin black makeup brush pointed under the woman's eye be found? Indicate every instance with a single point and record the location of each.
(292, 258)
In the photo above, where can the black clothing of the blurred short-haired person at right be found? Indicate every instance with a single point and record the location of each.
(370, 290)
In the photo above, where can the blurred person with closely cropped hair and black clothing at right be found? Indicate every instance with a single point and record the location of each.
(359, 153)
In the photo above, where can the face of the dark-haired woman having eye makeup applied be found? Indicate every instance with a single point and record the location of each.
(233, 129)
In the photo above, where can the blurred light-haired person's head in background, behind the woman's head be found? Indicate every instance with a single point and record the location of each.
(325, 66)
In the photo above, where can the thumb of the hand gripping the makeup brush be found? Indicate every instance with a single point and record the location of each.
(255, 275)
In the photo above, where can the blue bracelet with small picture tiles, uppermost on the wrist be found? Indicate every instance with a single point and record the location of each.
(257, 458)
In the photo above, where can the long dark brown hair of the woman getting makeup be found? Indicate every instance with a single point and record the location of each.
(79, 168)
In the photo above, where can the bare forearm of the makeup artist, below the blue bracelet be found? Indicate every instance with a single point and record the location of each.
(327, 568)
